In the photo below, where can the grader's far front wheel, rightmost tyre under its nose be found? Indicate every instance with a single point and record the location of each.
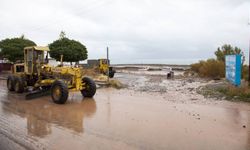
(90, 87)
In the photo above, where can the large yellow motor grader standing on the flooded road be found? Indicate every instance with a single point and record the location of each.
(38, 77)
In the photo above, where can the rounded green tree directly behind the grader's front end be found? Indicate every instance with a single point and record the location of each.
(72, 51)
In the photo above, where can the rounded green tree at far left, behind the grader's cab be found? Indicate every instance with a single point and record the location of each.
(12, 49)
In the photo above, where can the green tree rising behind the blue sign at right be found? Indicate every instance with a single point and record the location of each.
(227, 49)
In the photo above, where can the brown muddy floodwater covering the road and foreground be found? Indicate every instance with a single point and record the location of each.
(153, 112)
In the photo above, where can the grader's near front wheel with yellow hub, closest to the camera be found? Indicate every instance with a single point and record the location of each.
(59, 92)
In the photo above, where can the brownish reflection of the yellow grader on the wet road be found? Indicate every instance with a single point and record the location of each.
(40, 115)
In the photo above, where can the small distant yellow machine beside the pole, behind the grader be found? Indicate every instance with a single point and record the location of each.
(105, 68)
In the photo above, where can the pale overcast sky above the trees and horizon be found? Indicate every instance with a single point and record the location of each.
(136, 31)
